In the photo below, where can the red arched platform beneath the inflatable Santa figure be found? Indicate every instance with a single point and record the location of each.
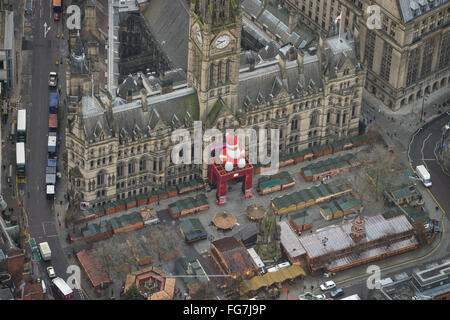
(217, 175)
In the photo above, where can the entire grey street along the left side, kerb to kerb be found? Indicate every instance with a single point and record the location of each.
(46, 49)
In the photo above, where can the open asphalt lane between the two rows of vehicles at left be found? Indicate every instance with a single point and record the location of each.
(43, 221)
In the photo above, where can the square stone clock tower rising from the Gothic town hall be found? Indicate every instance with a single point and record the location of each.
(214, 49)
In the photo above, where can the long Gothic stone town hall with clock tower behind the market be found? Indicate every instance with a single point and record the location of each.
(121, 146)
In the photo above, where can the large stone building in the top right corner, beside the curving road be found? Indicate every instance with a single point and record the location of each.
(406, 59)
